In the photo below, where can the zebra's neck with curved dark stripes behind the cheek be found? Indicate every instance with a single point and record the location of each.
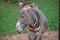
(35, 23)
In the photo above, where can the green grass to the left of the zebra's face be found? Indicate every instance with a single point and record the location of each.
(8, 18)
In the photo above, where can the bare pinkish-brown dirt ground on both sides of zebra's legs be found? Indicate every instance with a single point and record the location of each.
(51, 35)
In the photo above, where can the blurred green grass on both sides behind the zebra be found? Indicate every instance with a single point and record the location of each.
(9, 15)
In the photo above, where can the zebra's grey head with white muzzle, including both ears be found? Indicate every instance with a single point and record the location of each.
(24, 17)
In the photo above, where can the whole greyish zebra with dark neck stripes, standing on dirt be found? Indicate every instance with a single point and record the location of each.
(33, 19)
